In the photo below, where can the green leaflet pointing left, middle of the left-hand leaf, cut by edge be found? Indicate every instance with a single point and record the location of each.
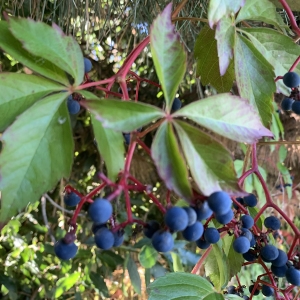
(14, 100)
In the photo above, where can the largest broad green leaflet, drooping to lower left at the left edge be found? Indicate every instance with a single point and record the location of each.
(37, 152)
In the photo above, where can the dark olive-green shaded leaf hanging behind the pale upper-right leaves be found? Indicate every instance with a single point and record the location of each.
(206, 55)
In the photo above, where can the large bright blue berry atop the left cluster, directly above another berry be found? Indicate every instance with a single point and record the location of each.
(100, 210)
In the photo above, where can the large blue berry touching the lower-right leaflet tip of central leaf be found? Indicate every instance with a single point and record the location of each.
(219, 203)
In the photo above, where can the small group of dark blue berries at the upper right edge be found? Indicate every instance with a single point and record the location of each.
(292, 103)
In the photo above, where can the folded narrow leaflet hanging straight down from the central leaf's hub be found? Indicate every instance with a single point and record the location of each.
(169, 162)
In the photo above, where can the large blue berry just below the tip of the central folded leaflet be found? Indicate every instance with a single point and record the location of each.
(176, 218)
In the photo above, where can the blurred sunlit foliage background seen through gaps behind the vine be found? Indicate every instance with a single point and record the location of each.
(107, 32)
